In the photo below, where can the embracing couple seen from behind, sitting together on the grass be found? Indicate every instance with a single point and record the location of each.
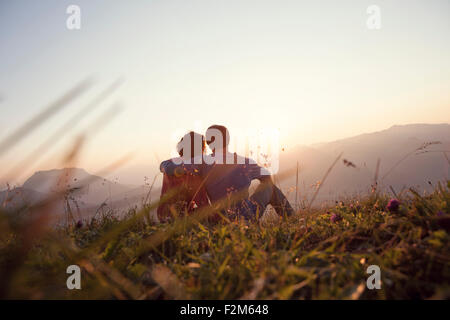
(222, 179)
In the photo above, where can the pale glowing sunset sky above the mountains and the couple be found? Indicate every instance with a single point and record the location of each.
(312, 70)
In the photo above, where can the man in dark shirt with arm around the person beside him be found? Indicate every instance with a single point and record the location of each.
(226, 174)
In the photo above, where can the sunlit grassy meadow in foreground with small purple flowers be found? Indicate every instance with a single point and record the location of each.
(317, 254)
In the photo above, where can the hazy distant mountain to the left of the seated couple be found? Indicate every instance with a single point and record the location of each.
(78, 191)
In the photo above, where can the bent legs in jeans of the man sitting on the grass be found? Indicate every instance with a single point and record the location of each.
(268, 193)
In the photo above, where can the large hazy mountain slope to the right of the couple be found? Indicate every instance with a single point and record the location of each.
(420, 168)
